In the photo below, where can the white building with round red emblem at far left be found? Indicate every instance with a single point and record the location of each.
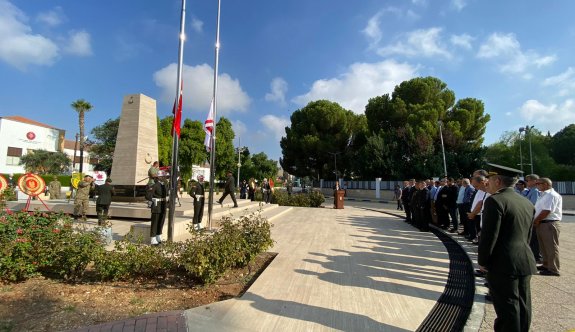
(20, 135)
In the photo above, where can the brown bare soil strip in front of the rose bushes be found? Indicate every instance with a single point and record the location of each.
(42, 304)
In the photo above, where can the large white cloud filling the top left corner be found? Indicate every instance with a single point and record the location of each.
(19, 47)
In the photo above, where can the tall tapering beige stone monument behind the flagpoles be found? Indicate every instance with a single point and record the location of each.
(136, 147)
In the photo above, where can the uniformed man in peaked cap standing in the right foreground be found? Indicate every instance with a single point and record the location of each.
(504, 251)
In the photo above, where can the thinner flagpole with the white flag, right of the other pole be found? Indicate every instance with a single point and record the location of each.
(213, 137)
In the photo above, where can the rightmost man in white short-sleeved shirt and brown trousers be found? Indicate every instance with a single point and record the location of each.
(548, 214)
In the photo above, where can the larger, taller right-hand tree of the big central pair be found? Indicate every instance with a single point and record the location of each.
(407, 124)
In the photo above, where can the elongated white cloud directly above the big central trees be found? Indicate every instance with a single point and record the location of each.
(362, 81)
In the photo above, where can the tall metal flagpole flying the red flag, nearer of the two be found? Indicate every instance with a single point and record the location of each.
(175, 170)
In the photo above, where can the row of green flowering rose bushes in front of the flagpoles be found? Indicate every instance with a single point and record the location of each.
(47, 243)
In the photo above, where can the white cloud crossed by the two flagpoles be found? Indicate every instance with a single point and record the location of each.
(198, 87)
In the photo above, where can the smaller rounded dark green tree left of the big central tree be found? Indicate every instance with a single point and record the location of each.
(317, 131)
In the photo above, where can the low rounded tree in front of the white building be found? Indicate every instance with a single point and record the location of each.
(45, 162)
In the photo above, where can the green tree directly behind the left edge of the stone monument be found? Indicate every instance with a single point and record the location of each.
(103, 144)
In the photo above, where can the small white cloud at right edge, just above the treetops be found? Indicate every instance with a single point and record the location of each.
(552, 117)
